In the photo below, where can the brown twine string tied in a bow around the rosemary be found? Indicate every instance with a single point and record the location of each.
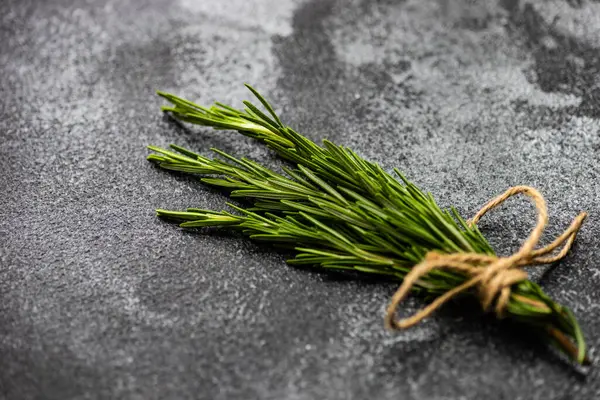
(492, 275)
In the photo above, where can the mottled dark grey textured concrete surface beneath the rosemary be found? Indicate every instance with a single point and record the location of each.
(99, 299)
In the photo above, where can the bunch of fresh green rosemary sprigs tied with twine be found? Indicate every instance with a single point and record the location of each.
(339, 211)
